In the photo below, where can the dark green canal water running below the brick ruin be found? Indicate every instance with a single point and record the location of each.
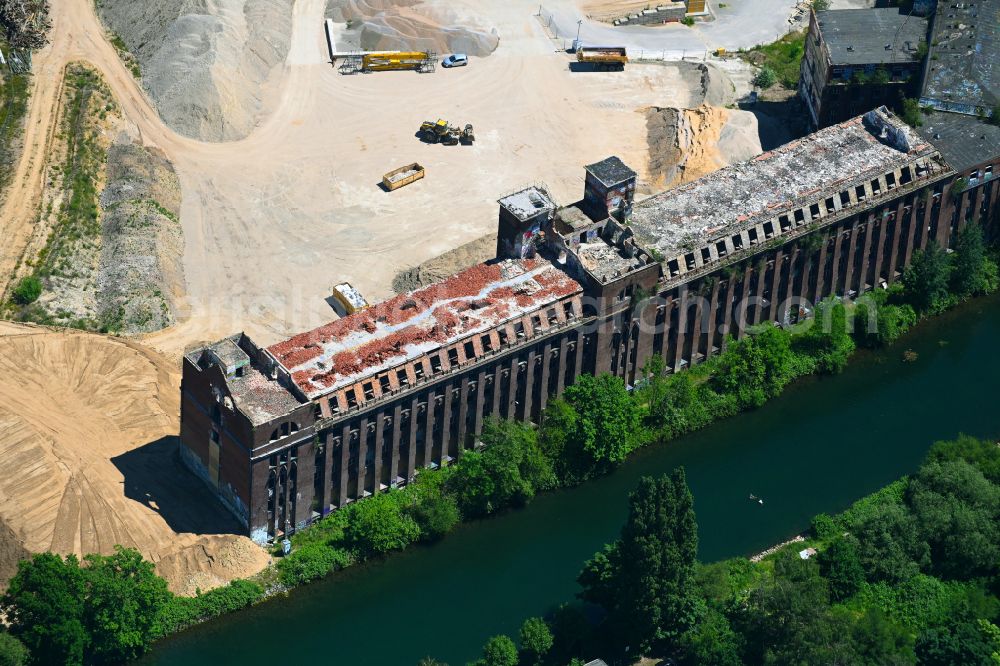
(823, 444)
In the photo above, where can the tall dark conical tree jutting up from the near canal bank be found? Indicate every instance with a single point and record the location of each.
(649, 585)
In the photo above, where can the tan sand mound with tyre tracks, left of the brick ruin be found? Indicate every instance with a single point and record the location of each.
(87, 429)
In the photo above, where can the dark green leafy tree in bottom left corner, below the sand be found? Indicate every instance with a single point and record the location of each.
(44, 606)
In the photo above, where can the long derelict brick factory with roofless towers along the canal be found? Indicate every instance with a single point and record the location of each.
(291, 432)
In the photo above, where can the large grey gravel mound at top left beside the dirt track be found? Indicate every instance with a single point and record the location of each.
(203, 62)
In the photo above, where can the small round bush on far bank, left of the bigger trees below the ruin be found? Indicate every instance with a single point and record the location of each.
(378, 525)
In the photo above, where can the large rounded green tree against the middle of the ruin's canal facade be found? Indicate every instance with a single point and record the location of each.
(607, 422)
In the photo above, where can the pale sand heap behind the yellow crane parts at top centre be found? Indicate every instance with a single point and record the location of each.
(407, 25)
